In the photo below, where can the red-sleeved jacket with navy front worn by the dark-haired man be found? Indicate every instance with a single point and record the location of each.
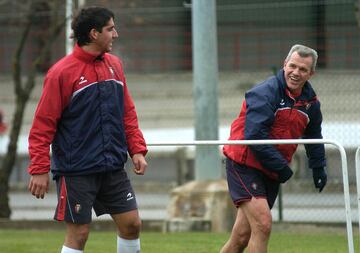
(87, 115)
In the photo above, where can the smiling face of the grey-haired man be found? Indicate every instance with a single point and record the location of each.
(297, 71)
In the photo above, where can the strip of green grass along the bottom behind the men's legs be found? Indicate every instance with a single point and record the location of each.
(50, 241)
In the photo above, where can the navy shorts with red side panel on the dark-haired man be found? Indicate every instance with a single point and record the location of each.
(106, 193)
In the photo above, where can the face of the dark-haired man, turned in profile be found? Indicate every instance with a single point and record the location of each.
(102, 41)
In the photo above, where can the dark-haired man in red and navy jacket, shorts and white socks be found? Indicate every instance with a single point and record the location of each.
(88, 116)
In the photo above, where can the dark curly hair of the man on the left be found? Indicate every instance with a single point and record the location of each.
(87, 19)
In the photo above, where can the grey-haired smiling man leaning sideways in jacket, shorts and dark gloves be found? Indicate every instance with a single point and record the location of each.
(283, 107)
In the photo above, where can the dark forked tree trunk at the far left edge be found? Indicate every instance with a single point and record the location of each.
(23, 92)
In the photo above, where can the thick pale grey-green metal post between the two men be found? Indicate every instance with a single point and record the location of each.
(205, 71)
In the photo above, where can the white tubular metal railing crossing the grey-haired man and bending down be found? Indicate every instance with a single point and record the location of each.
(293, 141)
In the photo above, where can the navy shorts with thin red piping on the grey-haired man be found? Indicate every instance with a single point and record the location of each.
(245, 183)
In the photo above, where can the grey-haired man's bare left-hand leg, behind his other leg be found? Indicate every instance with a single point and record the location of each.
(240, 235)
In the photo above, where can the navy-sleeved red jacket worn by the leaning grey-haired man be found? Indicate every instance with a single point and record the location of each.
(270, 111)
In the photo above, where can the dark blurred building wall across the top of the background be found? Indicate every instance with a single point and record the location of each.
(155, 35)
